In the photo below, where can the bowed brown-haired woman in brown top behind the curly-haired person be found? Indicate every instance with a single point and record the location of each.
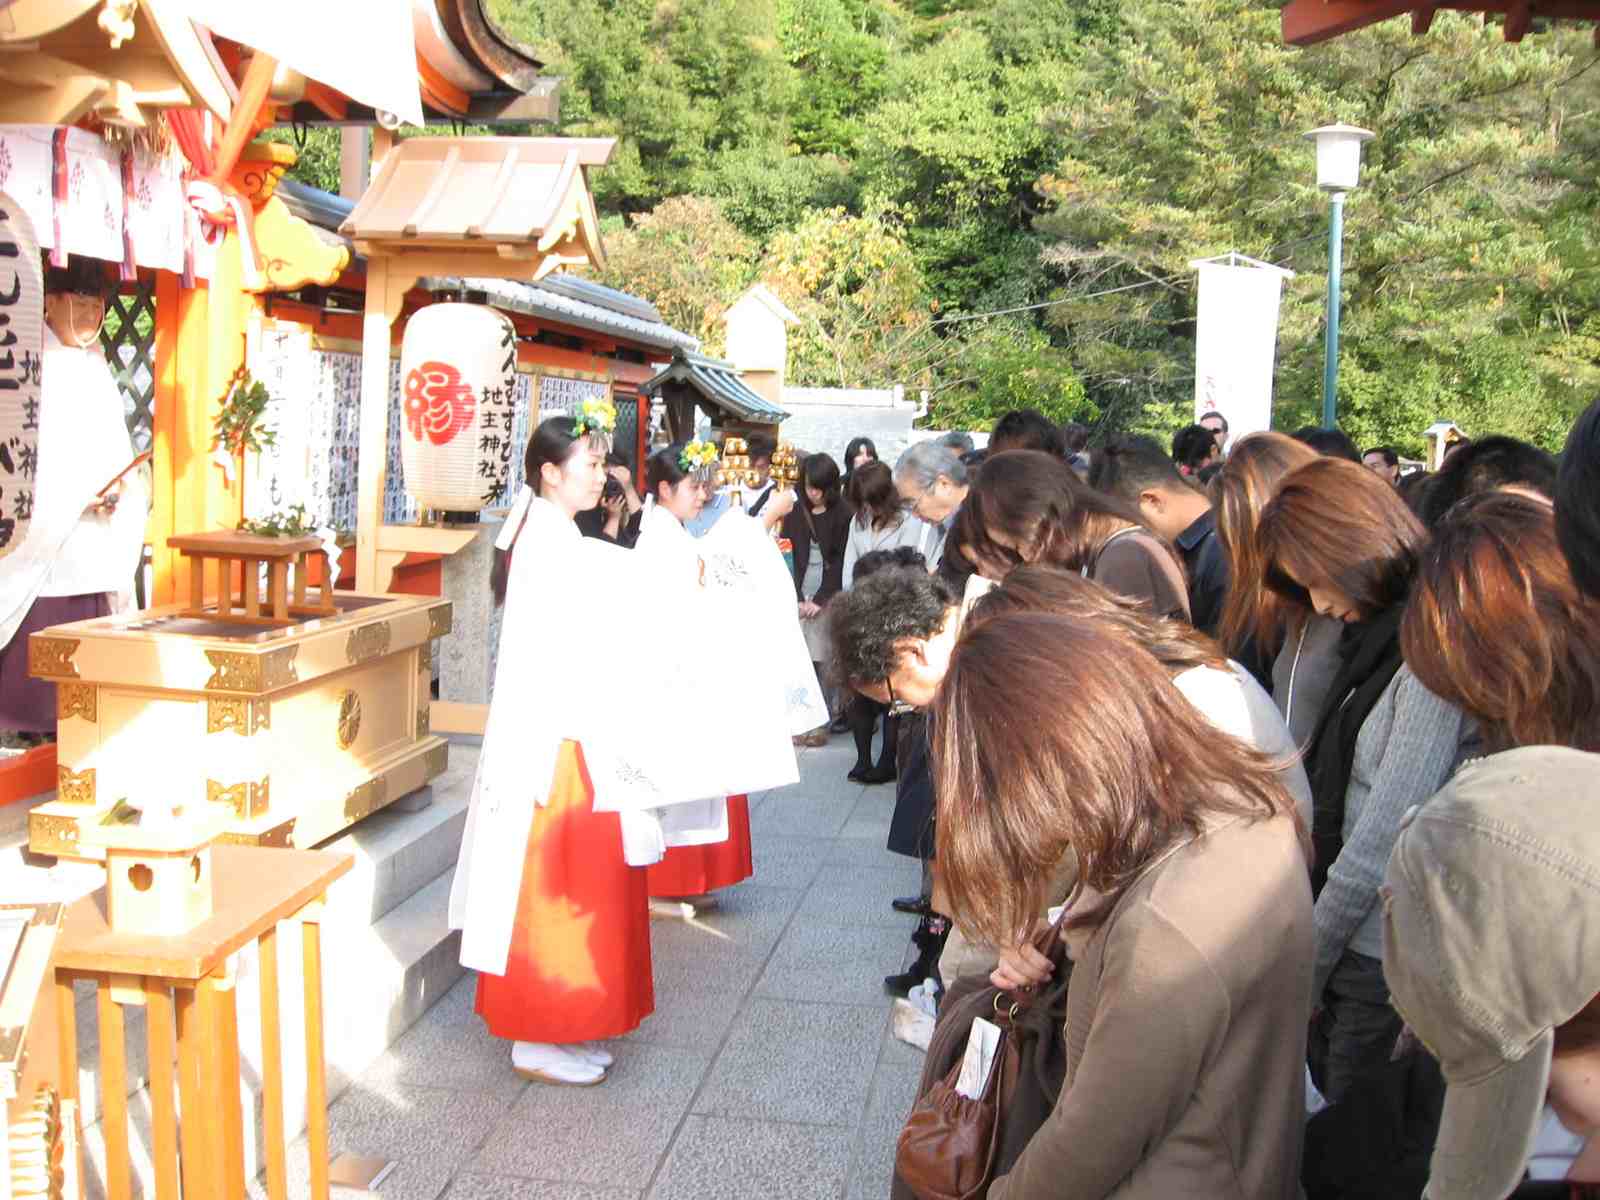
(1031, 508)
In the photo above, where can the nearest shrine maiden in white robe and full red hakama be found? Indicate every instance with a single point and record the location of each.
(553, 916)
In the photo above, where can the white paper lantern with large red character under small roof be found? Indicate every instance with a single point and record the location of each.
(458, 370)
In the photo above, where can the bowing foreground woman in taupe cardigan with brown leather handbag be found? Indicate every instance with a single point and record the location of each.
(1190, 930)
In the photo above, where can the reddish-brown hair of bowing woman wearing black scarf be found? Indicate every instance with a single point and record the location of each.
(1335, 524)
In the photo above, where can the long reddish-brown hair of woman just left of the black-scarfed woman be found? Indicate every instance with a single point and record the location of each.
(1239, 494)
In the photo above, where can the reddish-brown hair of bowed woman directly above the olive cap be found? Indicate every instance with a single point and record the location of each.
(1498, 628)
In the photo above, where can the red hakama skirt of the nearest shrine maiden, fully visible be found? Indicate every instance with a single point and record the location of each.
(580, 951)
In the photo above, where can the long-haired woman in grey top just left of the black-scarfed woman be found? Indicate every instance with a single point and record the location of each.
(1260, 626)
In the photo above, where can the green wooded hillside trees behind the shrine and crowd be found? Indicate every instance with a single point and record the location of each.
(900, 169)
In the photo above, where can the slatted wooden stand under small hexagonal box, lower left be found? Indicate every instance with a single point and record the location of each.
(186, 986)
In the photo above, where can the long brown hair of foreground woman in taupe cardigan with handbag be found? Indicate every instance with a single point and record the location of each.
(1050, 737)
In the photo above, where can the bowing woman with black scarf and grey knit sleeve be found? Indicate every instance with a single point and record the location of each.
(1340, 542)
